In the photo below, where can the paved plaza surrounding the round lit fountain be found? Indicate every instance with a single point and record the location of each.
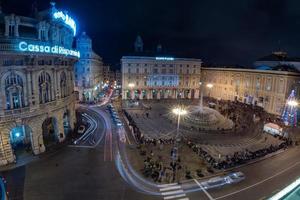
(246, 140)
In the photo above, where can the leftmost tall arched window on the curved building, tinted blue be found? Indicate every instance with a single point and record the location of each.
(14, 91)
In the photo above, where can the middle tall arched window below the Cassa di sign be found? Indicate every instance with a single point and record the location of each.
(45, 94)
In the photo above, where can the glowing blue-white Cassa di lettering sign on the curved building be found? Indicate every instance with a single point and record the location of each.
(24, 46)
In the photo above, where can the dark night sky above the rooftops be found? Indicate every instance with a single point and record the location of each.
(217, 31)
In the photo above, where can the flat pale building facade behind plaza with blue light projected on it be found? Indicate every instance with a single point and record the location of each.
(160, 77)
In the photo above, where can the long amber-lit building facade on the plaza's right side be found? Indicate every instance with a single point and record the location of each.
(265, 88)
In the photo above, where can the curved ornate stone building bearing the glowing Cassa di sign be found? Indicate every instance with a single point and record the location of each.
(37, 107)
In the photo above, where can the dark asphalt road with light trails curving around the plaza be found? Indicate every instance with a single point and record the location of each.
(91, 173)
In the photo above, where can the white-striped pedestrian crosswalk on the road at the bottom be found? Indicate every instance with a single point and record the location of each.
(172, 191)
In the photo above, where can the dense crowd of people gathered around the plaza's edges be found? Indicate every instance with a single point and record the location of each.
(239, 113)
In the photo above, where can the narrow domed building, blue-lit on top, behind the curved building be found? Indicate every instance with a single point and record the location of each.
(88, 70)
